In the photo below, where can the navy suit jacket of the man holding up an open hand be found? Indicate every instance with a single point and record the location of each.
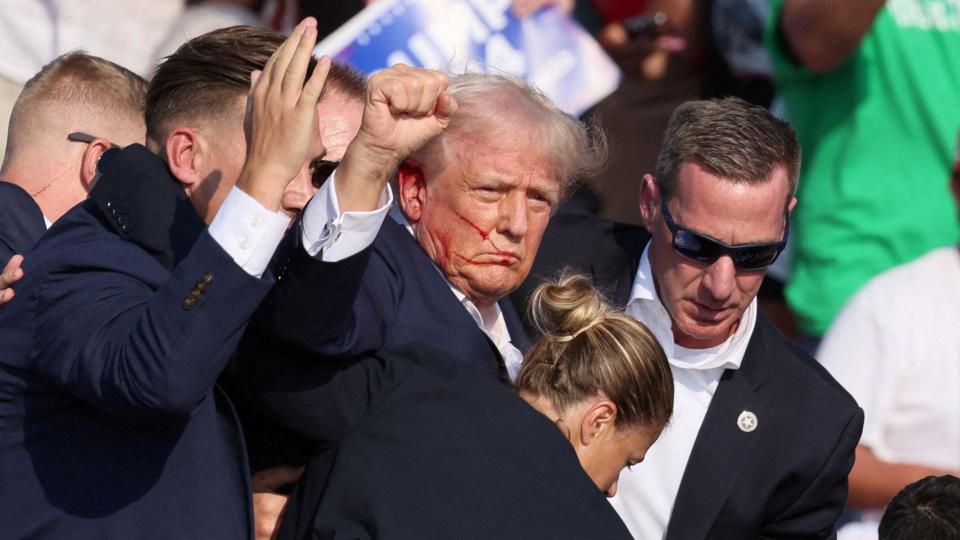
(110, 426)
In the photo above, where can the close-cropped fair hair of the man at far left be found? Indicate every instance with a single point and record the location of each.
(74, 82)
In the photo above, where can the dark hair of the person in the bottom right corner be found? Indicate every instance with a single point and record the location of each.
(928, 508)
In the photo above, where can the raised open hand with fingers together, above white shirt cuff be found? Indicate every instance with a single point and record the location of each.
(281, 118)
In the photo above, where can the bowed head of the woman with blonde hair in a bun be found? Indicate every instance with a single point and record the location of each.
(599, 375)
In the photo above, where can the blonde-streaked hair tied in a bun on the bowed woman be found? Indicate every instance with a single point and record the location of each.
(588, 349)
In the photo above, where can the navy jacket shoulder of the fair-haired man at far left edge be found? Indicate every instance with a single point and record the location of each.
(21, 222)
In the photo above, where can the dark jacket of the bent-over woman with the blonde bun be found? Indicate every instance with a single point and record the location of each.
(420, 445)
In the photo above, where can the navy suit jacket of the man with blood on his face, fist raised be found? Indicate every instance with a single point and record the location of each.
(389, 295)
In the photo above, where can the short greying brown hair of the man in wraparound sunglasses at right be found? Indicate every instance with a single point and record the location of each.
(737, 141)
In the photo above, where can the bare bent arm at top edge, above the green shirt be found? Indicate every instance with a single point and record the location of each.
(823, 33)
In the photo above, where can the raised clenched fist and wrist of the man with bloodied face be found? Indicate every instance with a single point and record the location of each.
(405, 107)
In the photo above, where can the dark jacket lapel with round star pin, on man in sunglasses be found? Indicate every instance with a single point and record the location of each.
(722, 449)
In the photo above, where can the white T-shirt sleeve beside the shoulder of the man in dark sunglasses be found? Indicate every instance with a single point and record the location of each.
(858, 351)
